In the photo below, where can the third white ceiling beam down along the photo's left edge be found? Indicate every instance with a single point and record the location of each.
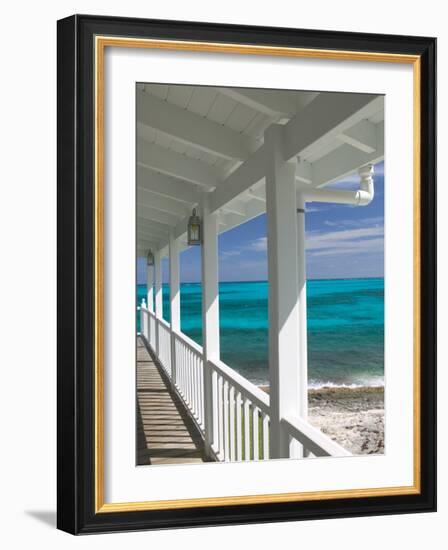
(167, 186)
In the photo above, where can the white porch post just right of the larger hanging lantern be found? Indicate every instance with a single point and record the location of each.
(210, 316)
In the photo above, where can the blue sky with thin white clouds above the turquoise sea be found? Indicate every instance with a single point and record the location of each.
(342, 242)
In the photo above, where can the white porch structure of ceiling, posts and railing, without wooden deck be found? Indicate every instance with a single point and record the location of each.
(284, 150)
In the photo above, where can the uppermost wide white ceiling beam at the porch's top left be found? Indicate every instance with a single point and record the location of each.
(192, 129)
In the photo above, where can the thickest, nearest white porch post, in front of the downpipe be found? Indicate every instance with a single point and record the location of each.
(284, 349)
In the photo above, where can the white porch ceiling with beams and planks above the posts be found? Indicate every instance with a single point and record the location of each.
(195, 139)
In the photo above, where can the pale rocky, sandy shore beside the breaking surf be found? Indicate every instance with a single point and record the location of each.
(354, 417)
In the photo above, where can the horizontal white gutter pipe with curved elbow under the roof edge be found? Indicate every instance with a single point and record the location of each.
(363, 196)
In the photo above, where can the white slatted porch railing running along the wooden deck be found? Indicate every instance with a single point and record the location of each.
(240, 409)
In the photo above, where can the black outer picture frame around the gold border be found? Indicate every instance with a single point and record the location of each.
(76, 254)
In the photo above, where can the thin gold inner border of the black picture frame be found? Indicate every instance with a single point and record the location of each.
(101, 42)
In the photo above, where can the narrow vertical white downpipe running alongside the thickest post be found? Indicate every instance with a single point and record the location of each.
(303, 337)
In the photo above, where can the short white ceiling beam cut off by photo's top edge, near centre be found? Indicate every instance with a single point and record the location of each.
(268, 102)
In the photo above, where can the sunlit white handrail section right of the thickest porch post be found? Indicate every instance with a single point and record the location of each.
(312, 438)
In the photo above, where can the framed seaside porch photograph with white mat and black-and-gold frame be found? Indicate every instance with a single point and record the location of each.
(246, 274)
